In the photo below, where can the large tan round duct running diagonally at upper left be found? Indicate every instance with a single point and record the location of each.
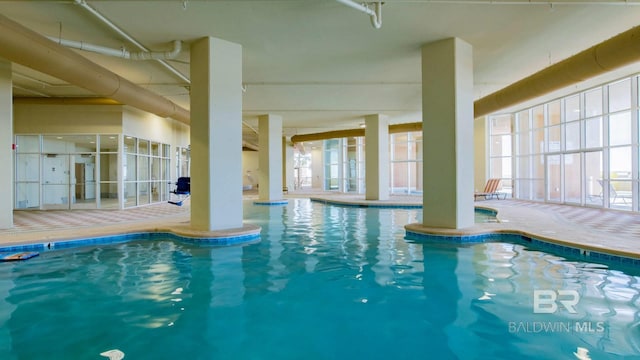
(23, 46)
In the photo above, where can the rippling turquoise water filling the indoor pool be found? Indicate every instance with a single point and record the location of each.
(325, 282)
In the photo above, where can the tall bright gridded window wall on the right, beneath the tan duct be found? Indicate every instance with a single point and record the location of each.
(581, 149)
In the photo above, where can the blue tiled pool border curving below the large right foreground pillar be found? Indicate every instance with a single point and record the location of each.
(578, 253)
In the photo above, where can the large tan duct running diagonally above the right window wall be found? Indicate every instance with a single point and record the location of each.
(619, 51)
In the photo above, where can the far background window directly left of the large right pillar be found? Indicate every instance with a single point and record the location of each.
(406, 163)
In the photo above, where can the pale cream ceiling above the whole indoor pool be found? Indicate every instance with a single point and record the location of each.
(320, 64)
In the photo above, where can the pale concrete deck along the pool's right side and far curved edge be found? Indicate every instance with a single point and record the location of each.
(608, 231)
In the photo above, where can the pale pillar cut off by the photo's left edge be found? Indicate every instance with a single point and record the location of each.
(6, 144)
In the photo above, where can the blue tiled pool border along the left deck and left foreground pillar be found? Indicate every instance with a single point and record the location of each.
(122, 238)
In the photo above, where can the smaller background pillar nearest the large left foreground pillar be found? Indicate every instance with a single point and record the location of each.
(270, 157)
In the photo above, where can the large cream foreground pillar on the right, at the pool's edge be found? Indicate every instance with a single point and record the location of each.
(447, 127)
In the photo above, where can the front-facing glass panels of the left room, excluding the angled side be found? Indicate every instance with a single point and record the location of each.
(66, 171)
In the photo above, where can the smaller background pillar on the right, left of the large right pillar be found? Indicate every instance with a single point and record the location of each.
(376, 139)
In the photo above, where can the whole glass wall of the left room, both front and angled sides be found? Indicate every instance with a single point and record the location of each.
(81, 171)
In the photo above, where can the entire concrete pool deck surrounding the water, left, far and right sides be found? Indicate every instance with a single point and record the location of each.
(610, 231)
